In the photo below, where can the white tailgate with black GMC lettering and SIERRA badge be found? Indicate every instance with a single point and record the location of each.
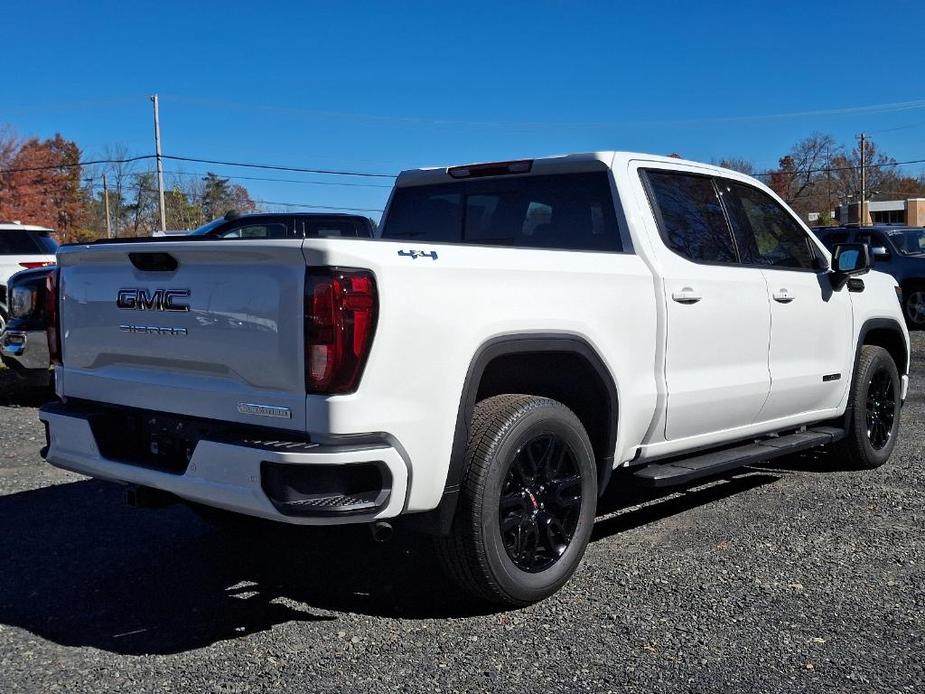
(220, 336)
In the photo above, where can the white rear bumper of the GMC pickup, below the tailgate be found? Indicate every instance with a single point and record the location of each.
(267, 479)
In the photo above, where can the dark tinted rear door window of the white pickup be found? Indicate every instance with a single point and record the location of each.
(690, 216)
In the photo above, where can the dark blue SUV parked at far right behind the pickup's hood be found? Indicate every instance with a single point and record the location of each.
(896, 250)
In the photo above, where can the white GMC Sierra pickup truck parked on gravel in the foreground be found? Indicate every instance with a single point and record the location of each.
(518, 334)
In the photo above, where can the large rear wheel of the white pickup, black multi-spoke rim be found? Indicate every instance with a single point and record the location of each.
(547, 518)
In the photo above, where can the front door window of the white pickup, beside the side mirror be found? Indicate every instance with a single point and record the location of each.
(765, 232)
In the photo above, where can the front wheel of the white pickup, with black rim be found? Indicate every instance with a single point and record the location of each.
(873, 426)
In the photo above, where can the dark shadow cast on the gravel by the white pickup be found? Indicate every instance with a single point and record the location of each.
(83, 569)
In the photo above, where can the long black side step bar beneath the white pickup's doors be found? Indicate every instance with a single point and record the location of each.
(681, 471)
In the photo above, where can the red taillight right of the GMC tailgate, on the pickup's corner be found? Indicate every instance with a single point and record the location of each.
(340, 319)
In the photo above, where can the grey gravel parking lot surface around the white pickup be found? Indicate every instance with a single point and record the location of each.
(800, 578)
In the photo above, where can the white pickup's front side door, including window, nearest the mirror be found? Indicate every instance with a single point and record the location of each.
(811, 348)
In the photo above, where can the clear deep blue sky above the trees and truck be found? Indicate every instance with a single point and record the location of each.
(385, 86)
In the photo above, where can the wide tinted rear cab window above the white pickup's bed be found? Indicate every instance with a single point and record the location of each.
(568, 211)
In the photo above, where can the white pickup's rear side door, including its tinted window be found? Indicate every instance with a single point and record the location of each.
(718, 313)
